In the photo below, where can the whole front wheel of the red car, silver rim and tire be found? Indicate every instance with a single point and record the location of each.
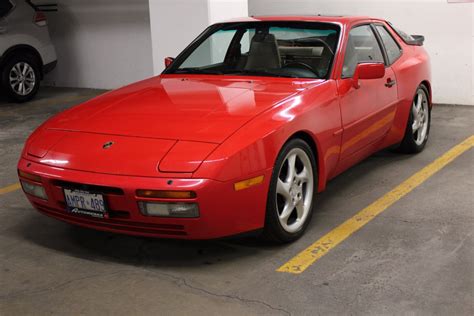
(290, 203)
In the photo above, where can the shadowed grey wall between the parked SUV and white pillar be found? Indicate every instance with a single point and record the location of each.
(101, 43)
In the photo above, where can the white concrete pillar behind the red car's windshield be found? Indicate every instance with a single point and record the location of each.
(175, 23)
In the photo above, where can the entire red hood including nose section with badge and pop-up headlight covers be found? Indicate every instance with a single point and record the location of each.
(169, 125)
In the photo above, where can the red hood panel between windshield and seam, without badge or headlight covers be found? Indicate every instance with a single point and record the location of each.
(192, 108)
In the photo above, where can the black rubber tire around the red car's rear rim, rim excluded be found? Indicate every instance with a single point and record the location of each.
(409, 144)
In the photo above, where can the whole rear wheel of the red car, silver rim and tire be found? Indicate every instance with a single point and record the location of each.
(415, 140)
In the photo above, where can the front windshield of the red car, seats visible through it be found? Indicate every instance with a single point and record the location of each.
(275, 49)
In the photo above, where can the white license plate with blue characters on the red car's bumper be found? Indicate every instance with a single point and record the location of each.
(85, 203)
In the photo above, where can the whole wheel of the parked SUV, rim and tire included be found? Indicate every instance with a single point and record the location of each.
(26, 68)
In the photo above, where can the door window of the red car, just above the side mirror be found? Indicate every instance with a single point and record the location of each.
(362, 46)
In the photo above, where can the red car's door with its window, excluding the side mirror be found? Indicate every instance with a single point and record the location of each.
(367, 112)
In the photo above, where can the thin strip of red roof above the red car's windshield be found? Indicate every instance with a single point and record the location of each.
(342, 19)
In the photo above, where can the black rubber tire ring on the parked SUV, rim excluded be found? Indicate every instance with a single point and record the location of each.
(32, 62)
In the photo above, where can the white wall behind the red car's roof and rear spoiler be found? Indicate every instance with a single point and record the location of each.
(448, 28)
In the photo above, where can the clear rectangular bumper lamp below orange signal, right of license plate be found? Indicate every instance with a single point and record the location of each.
(182, 210)
